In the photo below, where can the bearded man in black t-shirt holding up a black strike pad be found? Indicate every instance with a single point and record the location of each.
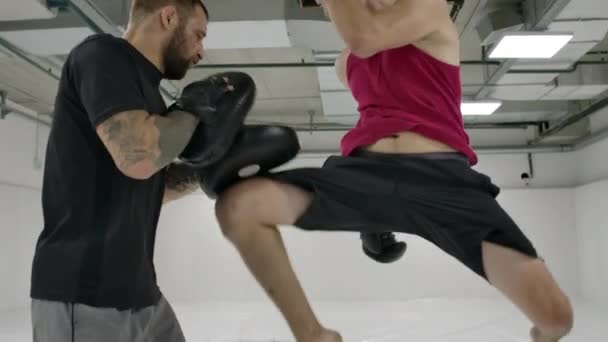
(115, 155)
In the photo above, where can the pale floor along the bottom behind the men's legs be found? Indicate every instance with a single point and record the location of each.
(428, 320)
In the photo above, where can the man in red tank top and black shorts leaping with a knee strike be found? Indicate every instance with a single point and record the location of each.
(405, 167)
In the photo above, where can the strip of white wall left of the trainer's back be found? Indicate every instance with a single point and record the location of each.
(20, 206)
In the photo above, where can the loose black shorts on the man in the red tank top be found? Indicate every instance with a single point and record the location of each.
(436, 196)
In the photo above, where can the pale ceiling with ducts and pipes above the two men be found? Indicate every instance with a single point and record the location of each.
(289, 52)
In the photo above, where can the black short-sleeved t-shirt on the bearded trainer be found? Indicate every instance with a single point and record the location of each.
(97, 244)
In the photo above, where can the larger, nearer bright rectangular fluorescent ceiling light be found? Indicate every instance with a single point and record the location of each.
(530, 45)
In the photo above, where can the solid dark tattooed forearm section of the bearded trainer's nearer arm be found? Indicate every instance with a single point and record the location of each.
(175, 131)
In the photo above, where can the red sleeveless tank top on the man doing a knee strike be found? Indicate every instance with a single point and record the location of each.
(406, 89)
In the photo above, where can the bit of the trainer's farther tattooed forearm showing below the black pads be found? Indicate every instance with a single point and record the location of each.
(181, 180)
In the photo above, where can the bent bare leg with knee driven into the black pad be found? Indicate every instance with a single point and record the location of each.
(248, 214)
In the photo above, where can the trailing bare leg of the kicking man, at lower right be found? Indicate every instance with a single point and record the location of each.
(530, 286)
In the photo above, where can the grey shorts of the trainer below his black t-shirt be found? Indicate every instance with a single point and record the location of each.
(73, 322)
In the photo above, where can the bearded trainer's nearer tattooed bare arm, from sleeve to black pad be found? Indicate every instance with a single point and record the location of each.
(142, 144)
